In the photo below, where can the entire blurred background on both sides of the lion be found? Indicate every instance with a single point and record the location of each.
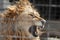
(49, 10)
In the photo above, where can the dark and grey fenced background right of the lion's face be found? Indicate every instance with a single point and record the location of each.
(49, 9)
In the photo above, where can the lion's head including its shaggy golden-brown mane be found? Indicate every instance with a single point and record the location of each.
(26, 20)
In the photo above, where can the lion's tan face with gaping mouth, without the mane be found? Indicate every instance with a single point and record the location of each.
(31, 21)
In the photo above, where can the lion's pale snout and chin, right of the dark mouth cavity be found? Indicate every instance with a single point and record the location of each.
(39, 26)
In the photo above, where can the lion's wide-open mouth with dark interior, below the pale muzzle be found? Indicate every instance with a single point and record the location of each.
(34, 30)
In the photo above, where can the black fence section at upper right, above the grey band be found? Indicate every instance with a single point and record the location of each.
(49, 8)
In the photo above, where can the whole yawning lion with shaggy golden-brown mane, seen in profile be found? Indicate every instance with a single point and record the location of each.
(21, 22)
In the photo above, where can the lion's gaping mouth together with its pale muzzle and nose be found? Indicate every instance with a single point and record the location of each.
(38, 28)
